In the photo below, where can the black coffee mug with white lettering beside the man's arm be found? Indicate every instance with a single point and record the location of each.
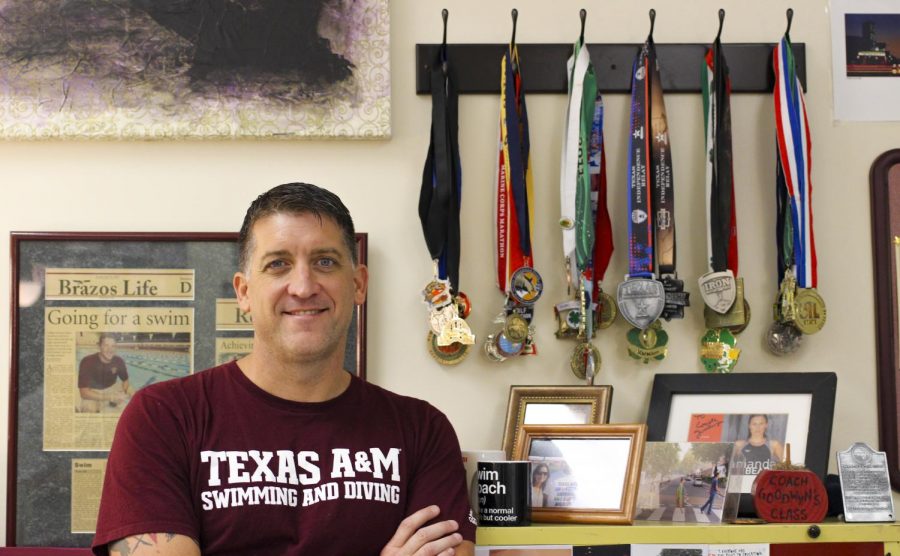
(504, 493)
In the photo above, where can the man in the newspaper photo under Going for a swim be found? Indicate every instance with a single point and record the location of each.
(99, 375)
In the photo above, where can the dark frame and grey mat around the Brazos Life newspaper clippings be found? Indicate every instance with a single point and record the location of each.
(39, 487)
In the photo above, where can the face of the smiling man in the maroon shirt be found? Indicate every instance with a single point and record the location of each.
(300, 287)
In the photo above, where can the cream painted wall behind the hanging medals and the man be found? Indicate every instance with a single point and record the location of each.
(206, 186)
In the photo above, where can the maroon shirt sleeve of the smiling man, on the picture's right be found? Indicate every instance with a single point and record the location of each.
(439, 476)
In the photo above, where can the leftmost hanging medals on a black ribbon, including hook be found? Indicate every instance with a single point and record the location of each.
(449, 336)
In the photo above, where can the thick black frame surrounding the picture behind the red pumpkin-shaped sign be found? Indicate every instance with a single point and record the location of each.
(822, 387)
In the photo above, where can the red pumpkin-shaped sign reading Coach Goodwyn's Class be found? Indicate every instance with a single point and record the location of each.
(790, 497)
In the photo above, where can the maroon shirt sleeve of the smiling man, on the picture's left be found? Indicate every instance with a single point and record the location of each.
(147, 486)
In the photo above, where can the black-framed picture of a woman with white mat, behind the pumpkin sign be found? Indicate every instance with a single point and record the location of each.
(759, 412)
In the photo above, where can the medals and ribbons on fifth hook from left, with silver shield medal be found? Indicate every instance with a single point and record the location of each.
(726, 312)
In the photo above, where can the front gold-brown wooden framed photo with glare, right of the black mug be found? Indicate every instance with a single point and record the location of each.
(583, 473)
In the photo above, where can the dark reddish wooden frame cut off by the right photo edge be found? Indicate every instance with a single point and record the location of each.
(884, 180)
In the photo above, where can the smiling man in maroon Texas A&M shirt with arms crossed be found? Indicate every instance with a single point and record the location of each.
(283, 452)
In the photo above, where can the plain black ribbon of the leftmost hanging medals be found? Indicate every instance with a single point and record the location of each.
(441, 192)
